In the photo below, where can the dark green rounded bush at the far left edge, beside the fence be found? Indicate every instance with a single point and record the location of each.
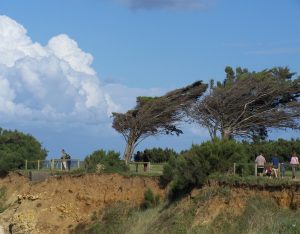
(16, 147)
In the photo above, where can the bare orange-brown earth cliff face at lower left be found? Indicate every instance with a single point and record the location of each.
(59, 203)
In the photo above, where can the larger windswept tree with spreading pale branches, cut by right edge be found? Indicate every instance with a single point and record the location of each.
(247, 104)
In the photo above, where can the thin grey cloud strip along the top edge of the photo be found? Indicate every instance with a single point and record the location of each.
(167, 4)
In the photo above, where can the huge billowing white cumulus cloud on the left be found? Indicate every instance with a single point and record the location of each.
(48, 83)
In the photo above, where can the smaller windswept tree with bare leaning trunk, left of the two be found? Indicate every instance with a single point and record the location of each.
(155, 115)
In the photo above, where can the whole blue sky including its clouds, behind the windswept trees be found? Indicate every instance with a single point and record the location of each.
(68, 64)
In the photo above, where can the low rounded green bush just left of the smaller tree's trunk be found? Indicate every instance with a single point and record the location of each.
(110, 159)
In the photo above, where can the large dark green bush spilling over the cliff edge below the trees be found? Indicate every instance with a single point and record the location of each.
(191, 169)
